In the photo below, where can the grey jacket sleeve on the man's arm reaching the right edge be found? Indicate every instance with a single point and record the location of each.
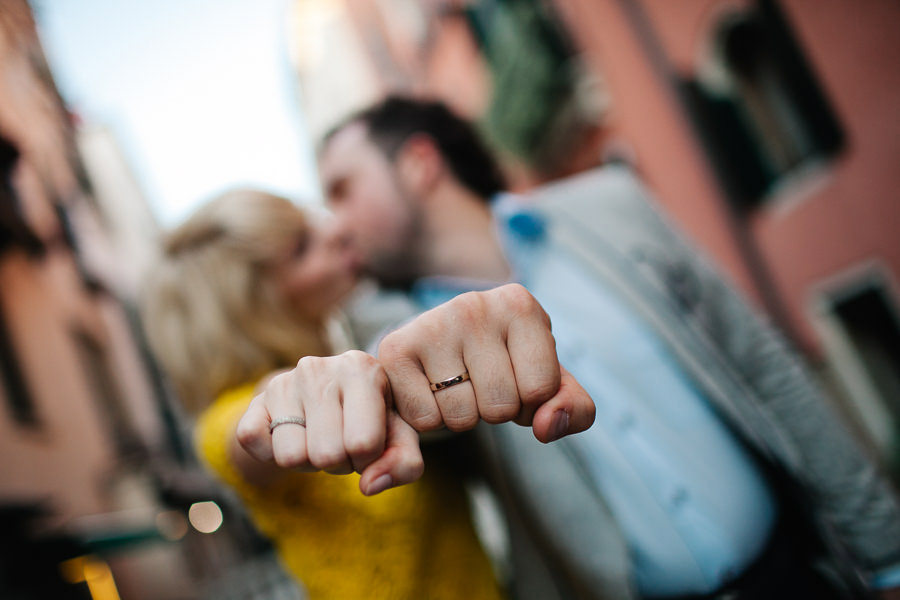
(850, 496)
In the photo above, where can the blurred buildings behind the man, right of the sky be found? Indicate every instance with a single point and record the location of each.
(768, 128)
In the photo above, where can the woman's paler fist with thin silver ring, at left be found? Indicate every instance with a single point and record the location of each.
(349, 426)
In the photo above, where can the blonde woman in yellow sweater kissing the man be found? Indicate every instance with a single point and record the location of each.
(243, 289)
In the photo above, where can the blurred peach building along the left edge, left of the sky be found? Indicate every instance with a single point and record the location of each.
(64, 338)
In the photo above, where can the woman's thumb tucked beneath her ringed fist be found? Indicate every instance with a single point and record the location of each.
(401, 462)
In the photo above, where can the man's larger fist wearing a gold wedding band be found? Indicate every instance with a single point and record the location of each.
(502, 339)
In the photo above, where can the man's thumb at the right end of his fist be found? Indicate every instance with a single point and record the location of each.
(570, 411)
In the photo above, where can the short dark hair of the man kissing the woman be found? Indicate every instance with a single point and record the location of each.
(395, 119)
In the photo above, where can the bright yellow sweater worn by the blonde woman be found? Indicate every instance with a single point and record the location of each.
(412, 542)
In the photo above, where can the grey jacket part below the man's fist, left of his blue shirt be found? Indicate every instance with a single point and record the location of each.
(565, 543)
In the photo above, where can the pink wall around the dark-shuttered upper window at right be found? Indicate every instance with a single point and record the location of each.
(812, 229)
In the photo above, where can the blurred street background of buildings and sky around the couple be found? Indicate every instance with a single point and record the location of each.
(768, 128)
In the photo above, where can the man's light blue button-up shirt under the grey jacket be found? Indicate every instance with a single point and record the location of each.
(691, 503)
